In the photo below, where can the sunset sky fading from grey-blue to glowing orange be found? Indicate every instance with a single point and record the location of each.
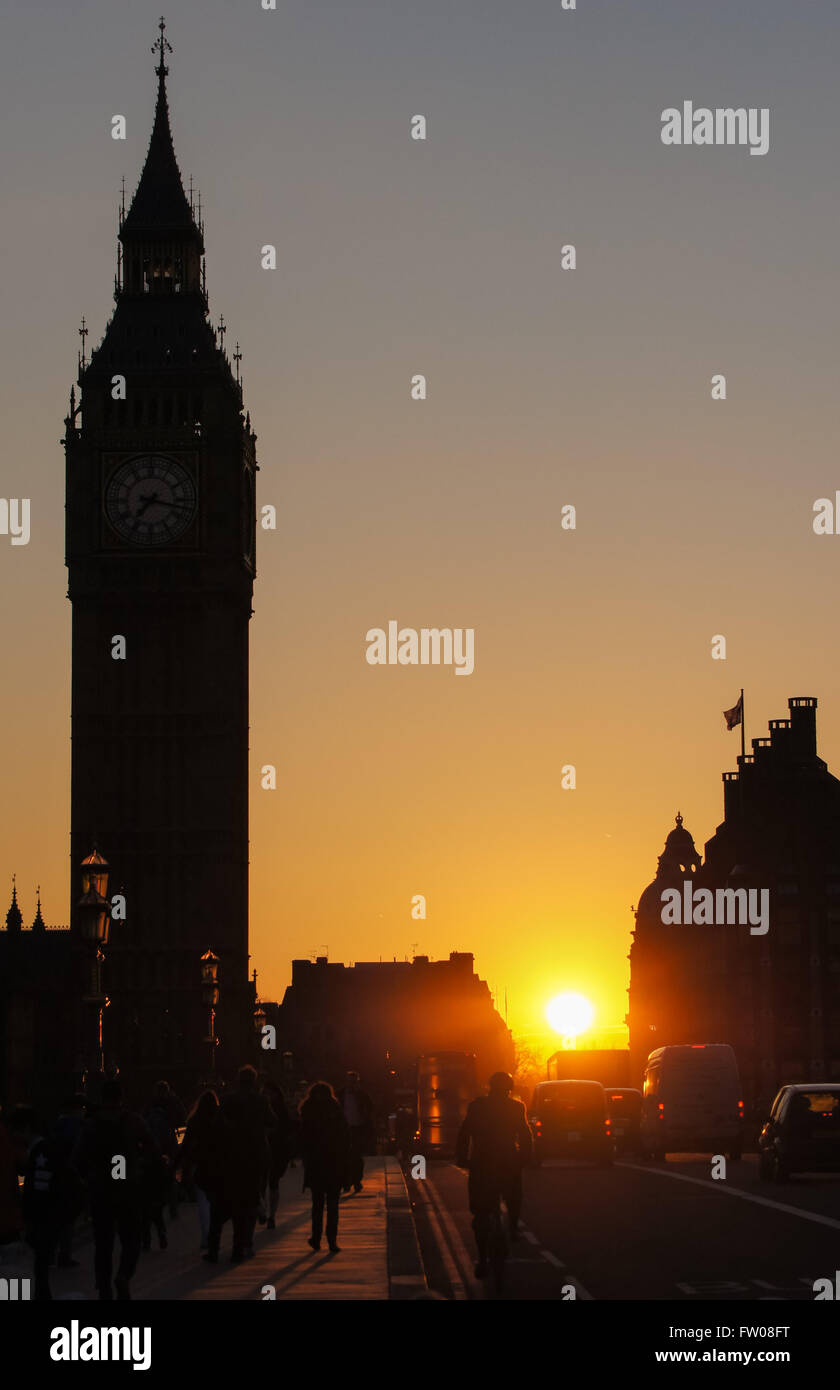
(546, 389)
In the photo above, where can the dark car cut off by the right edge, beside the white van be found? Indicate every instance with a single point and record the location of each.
(802, 1134)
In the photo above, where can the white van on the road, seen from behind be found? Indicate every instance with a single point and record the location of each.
(692, 1102)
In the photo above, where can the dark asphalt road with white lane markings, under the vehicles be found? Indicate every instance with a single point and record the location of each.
(642, 1232)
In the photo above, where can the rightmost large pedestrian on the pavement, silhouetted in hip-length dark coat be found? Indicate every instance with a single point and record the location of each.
(326, 1146)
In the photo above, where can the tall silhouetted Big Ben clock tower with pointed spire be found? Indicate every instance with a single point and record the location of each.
(161, 551)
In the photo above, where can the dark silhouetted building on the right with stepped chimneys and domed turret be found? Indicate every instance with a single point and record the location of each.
(775, 997)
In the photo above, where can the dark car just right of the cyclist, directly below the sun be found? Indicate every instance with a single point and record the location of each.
(570, 1121)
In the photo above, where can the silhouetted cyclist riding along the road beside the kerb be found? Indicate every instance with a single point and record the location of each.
(494, 1143)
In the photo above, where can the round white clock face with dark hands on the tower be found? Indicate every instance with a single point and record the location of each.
(151, 500)
